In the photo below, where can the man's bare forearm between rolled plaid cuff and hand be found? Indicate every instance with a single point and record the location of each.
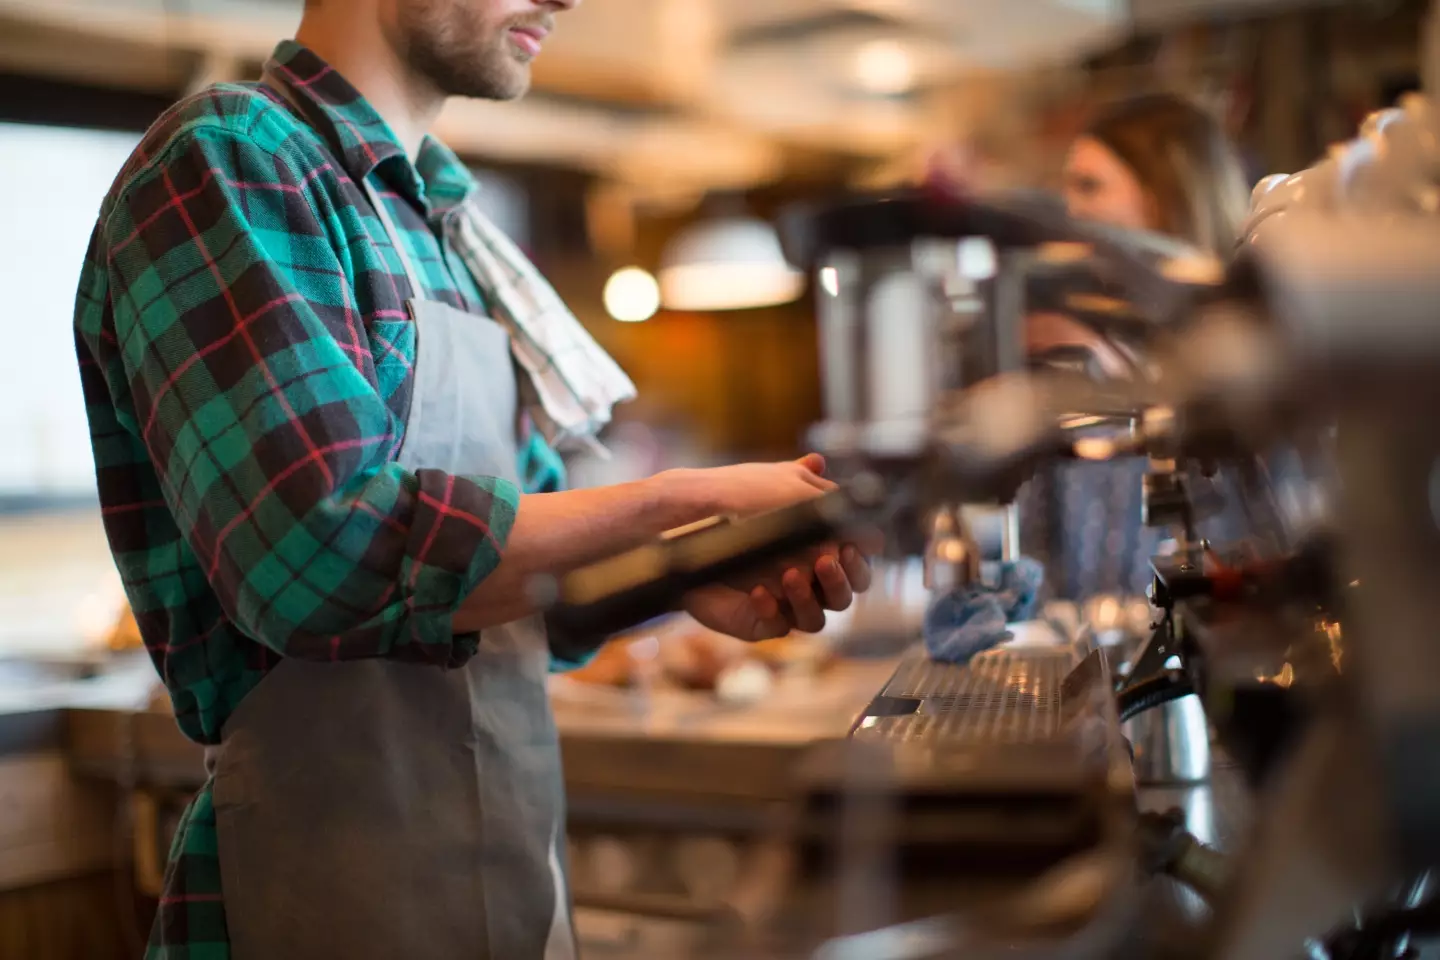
(555, 533)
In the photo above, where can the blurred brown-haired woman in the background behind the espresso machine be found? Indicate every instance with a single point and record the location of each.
(1151, 163)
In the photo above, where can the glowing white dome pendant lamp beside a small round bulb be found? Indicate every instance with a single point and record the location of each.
(728, 264)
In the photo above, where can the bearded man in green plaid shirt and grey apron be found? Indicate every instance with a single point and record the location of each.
(316, 379)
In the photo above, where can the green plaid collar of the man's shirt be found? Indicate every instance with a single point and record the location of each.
(359, 136)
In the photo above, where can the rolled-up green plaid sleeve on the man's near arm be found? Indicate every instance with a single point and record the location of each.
(256, 395)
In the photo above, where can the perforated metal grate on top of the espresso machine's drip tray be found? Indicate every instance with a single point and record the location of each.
(1002, 697)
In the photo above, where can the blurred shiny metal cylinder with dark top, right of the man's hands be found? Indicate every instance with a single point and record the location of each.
(917, 302)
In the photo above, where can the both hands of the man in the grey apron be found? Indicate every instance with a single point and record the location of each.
(797, 597)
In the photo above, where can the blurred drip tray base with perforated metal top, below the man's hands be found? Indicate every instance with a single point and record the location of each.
(964, 785)
